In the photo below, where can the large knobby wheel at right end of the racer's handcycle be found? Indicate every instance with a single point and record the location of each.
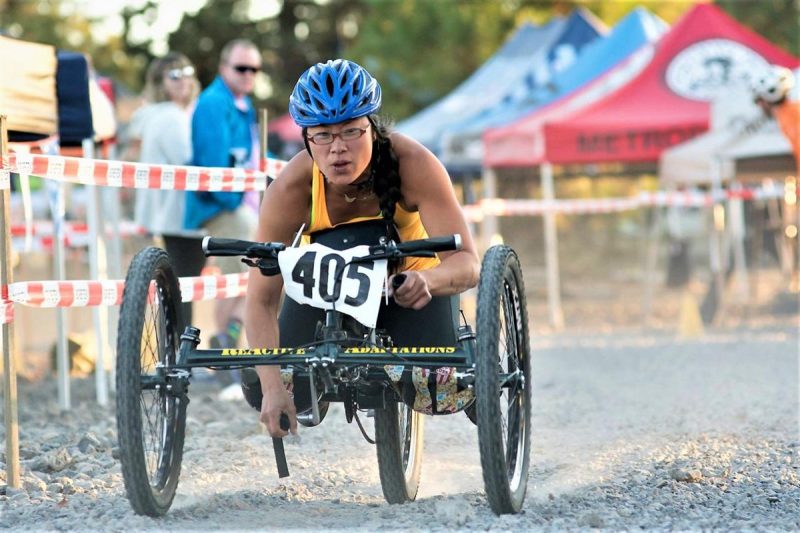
(503, 380)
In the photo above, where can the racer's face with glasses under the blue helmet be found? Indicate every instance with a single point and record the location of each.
(344, 160)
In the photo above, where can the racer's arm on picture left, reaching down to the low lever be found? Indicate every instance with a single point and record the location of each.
(284, 209)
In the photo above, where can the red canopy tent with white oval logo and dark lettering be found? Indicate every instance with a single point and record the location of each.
(704, 54)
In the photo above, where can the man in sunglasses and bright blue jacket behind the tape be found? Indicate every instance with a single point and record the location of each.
(225, 134)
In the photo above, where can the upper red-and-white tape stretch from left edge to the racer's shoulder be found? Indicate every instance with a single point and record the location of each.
(140, 175)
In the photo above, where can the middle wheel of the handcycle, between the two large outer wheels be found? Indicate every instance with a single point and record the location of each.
(398, 439)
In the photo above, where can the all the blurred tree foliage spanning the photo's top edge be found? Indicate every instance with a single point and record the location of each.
(419, 49)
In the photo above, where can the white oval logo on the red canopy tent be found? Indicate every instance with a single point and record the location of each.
(706, 69)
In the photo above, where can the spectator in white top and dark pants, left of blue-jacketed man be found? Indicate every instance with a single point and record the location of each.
(161, 129)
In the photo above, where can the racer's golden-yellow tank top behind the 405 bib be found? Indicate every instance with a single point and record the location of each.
(409, 225)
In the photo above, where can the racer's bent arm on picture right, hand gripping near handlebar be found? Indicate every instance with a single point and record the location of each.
(426, 187)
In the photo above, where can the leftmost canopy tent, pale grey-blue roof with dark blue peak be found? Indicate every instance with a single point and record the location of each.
(514, 69)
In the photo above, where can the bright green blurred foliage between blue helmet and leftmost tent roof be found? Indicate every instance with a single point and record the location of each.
(422, 49)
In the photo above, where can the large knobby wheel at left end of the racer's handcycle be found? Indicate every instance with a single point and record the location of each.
(151, 405)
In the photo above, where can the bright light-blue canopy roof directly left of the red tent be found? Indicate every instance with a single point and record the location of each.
(462, 149)
